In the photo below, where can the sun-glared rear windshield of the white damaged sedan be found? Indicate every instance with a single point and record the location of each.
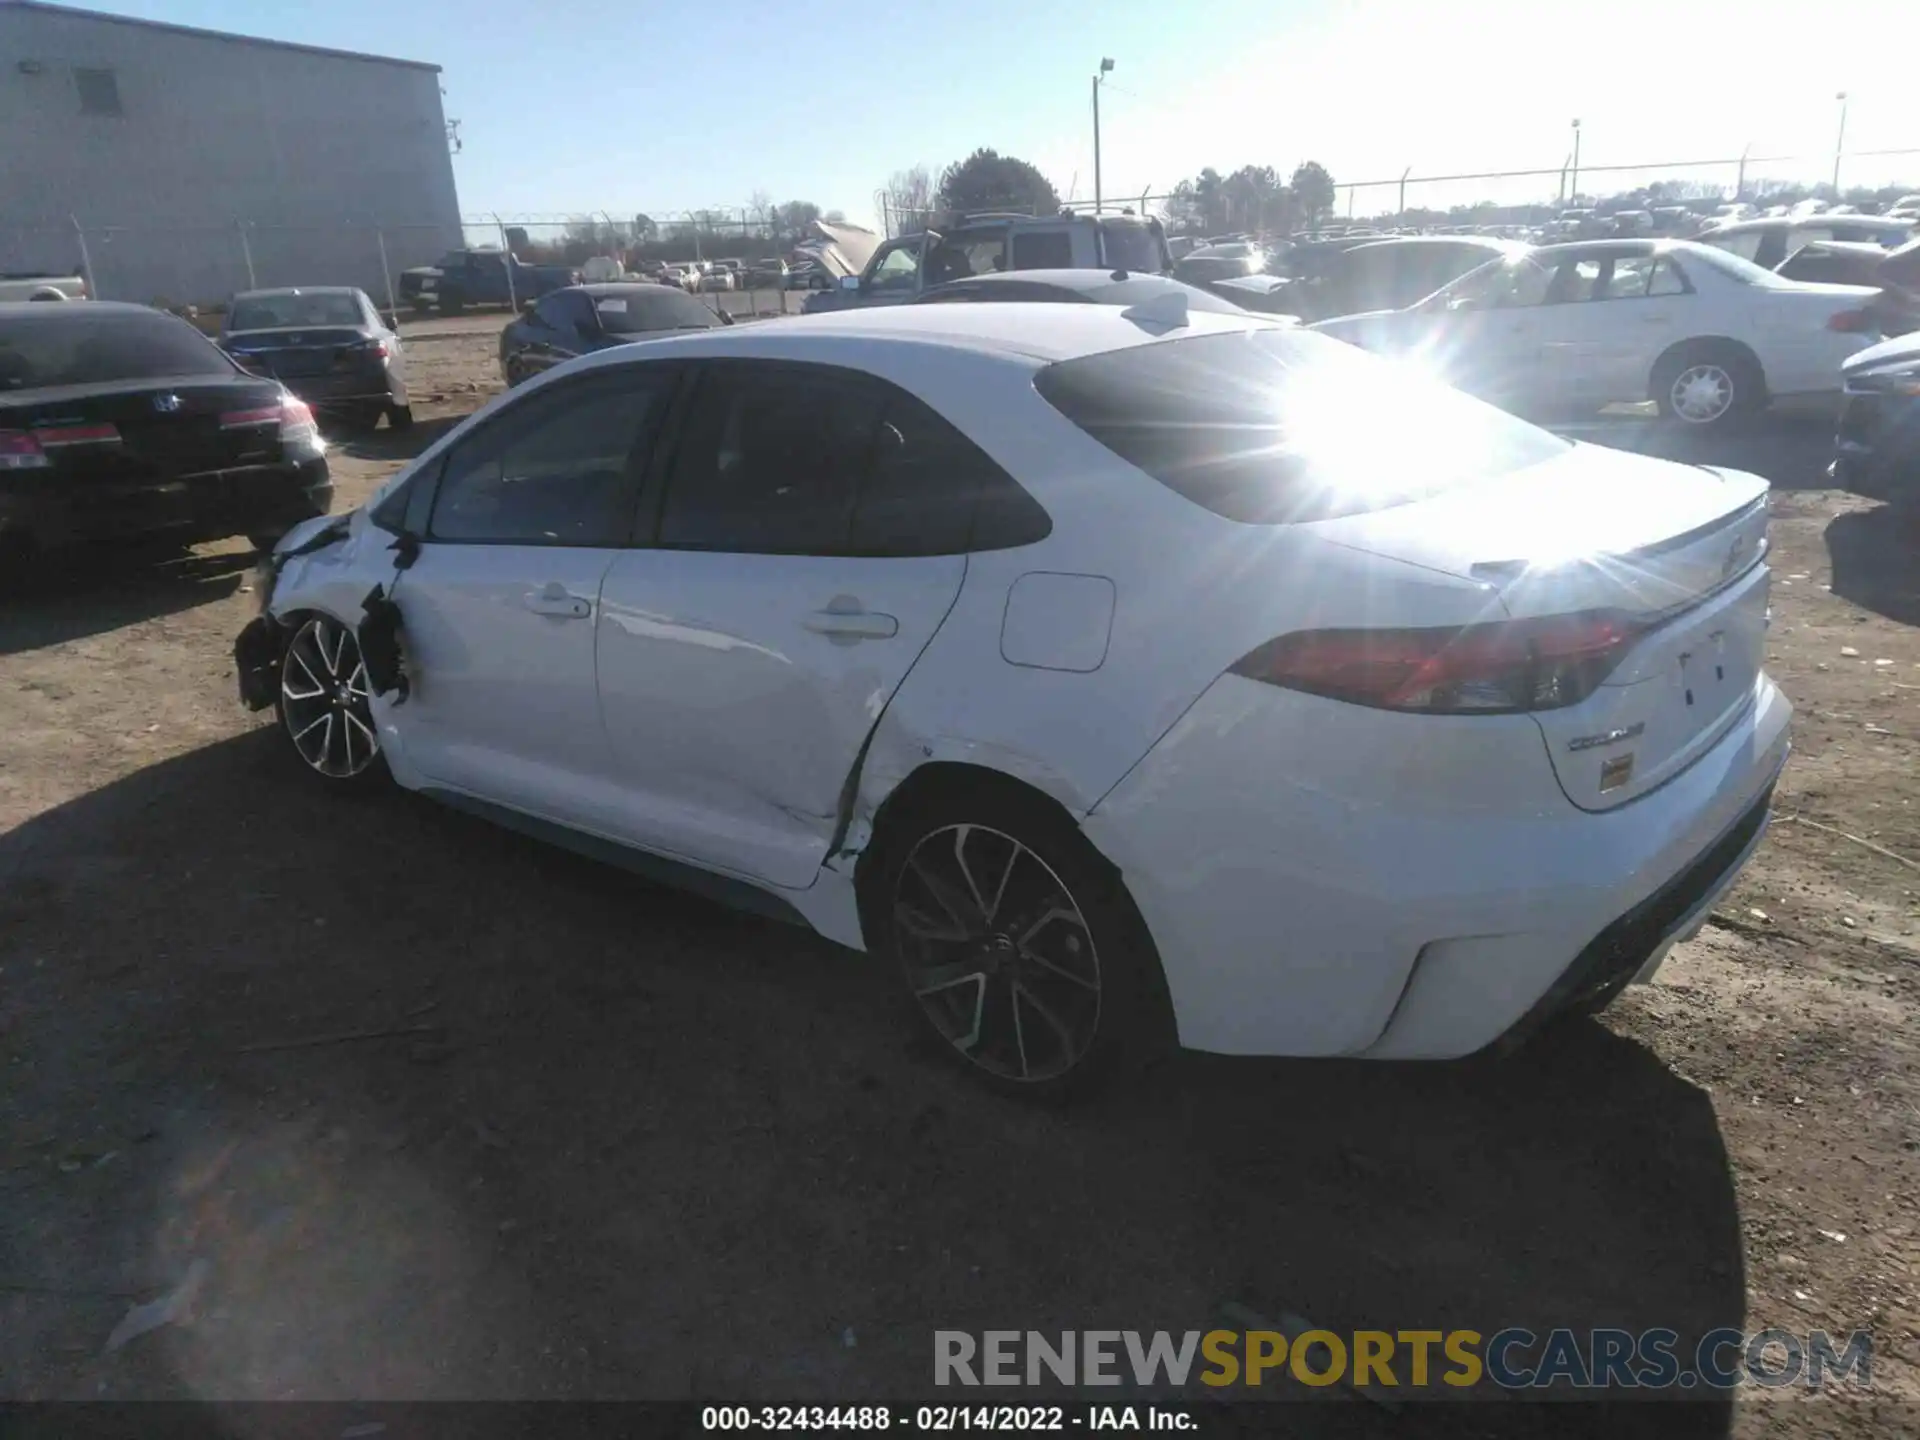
(1284, 427)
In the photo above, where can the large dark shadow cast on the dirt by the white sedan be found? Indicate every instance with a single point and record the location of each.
(602, 1140)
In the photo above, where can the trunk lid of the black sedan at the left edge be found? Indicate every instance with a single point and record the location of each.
(162, 431)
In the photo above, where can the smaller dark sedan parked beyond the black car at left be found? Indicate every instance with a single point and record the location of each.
(329, 347)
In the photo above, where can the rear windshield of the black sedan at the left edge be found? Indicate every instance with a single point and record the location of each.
(84, 347)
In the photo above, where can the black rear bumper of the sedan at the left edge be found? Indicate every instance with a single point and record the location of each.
(180, 508)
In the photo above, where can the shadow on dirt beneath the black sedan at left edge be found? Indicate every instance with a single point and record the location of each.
(87, 592)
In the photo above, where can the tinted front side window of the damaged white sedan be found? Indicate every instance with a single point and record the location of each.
(556, 469)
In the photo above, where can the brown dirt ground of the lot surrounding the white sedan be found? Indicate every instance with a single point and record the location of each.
(604, 1140)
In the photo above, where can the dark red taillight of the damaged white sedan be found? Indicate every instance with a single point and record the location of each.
(1485, 669)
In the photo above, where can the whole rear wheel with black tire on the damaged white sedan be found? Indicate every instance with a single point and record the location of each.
(1068, 988)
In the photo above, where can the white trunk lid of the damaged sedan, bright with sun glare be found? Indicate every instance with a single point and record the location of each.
(1677, 552)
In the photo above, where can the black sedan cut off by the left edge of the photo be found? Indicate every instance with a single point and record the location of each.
(124, 423)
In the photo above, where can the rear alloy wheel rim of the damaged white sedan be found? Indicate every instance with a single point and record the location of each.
(997, 953)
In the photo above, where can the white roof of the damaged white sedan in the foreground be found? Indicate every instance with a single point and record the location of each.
(1032, 331)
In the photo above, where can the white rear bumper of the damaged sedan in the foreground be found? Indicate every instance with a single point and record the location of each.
(1330, 880)
